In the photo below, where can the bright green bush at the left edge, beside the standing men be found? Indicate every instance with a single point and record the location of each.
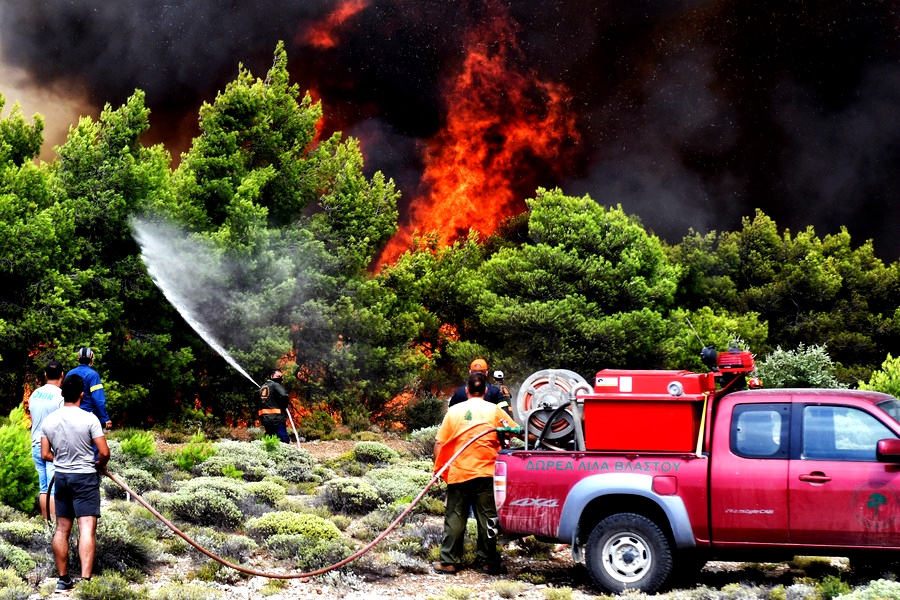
(19, 483)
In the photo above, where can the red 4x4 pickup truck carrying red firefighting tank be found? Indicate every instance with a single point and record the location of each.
(775, 473)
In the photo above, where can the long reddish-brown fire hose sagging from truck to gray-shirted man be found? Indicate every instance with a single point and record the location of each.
(360, 552)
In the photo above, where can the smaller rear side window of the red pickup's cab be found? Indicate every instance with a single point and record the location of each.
(760, 430)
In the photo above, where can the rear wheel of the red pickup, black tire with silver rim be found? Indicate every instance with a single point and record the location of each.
(628, 551)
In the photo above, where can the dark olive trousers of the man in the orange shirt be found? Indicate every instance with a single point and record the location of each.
(477, 494)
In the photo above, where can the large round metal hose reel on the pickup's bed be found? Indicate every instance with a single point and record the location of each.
(544, 408)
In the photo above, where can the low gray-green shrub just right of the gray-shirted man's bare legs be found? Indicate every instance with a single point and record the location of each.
(118, 548)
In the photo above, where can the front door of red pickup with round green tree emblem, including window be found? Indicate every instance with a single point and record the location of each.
(839, 493)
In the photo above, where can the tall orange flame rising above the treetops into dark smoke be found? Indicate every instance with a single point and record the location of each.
(499, 117)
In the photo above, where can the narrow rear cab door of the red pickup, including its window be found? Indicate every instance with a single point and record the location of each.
(748, 489)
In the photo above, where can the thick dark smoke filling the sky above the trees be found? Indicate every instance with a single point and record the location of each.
(691, 114)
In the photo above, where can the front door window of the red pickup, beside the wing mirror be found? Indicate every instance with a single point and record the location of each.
(841, 433)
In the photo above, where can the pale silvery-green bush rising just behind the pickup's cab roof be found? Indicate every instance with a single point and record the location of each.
(802, 368)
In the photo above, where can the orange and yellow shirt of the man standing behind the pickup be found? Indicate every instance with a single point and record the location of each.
(462, 422)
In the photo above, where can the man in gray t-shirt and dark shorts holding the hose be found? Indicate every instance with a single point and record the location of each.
(68, 437)
